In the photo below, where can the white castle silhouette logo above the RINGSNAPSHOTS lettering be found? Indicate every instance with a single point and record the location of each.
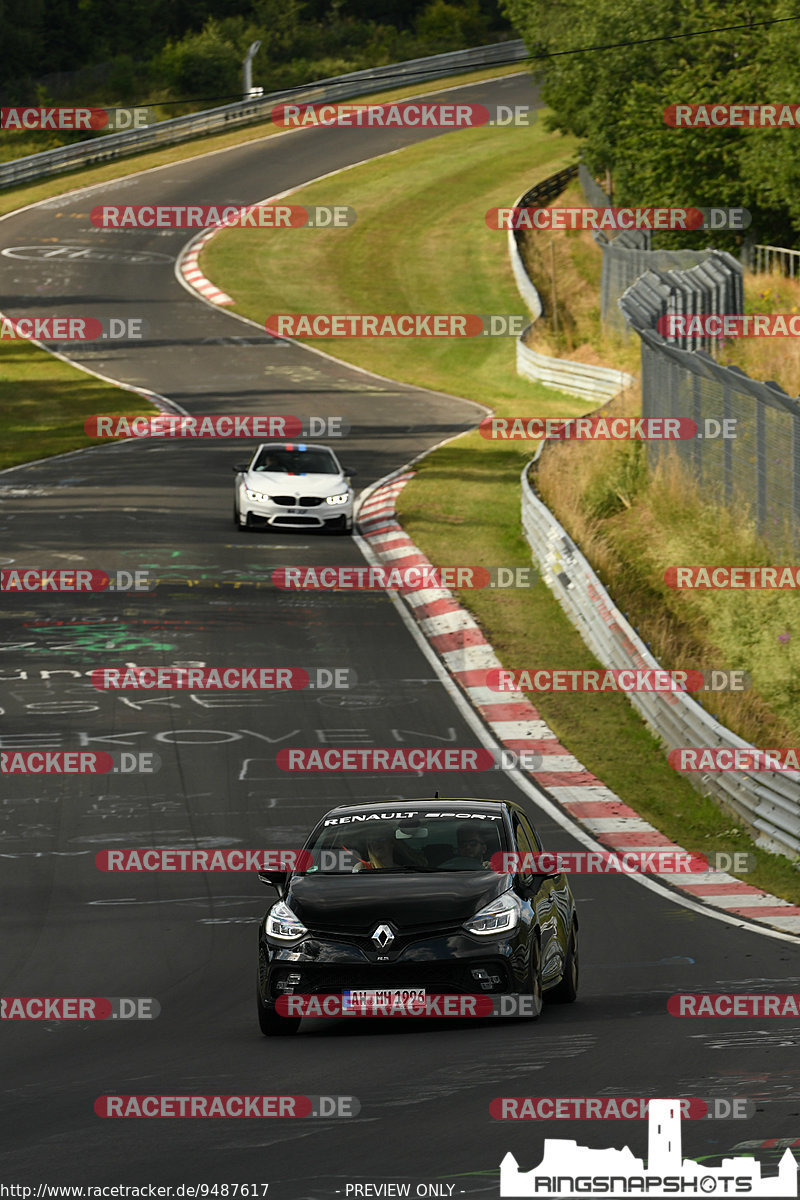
(568, 1169)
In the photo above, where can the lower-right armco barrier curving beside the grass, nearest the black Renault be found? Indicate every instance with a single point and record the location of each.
(767, 802)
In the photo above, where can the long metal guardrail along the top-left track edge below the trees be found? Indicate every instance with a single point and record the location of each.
(248, 112)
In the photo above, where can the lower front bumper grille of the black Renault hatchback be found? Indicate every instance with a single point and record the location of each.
(438, 979)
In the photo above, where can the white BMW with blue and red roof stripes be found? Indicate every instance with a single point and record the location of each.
(293, 484)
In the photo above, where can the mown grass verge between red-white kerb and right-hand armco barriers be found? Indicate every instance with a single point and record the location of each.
(418, 253)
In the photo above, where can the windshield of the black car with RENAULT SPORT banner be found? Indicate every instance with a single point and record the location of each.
(406, 842)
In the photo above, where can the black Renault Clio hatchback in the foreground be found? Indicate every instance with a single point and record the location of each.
(404, 897)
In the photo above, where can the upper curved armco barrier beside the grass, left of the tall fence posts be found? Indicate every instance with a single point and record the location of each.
(575, 379)
